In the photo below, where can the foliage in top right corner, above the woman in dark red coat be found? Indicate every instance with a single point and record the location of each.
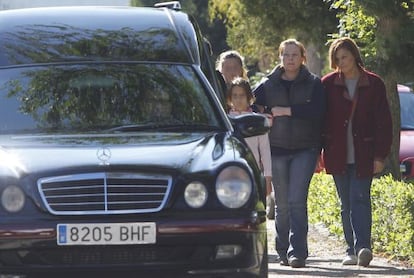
(384, 31)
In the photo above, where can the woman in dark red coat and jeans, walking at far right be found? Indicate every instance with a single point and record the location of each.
(358, 136)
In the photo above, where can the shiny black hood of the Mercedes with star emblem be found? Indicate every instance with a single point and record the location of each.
(29, 154)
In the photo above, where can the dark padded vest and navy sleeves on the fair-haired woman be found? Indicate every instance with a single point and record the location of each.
(306, 98)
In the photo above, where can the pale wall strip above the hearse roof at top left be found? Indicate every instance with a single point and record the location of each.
(16, 4)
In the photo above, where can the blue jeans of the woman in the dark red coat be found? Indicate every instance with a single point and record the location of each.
(355, 196)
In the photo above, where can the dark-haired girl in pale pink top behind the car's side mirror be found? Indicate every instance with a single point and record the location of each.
(241, 98)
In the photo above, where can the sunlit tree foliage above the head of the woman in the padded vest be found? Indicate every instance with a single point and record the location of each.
(256, 28)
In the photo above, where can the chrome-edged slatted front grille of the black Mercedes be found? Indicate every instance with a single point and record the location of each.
(104, 193)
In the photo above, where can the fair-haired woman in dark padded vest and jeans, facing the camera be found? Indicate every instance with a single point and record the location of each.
(296, 100)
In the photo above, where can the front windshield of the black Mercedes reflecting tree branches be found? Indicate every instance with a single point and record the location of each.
(103, 97)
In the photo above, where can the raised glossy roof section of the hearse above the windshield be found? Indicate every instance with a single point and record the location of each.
(96, 33)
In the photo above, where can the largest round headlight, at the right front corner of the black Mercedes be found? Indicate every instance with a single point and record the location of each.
(233, 187)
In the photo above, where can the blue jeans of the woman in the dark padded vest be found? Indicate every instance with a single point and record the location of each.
(291, 178)
